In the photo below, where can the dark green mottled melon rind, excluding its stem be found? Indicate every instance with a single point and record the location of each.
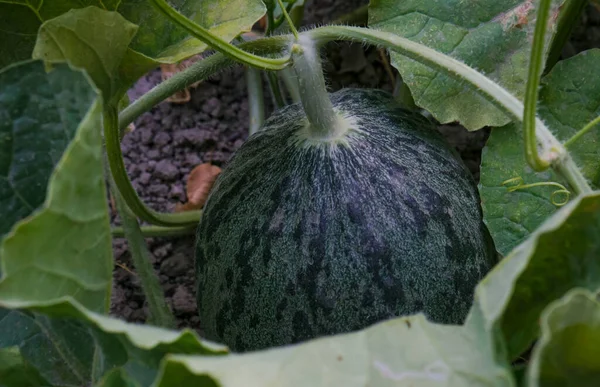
(299, 240)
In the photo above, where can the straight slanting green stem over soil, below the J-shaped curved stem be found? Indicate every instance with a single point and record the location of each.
(160, 314)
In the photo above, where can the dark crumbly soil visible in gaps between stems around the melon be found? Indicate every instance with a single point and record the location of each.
(171, 139)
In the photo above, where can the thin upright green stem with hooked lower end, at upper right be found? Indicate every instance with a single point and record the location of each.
(536, 66)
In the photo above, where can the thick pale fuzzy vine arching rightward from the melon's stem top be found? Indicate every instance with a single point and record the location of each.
(484, 86)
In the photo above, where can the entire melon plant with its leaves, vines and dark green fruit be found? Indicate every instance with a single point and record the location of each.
(345, 225)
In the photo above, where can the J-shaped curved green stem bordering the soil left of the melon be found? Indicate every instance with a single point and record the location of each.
(125, 188)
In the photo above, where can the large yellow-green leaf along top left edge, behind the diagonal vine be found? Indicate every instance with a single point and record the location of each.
(157, 37)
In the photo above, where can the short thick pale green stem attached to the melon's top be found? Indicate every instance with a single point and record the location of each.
(324, 122)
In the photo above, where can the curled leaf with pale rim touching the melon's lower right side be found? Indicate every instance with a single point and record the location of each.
(560, 255)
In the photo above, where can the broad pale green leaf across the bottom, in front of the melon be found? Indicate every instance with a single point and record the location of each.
(407, 351)
